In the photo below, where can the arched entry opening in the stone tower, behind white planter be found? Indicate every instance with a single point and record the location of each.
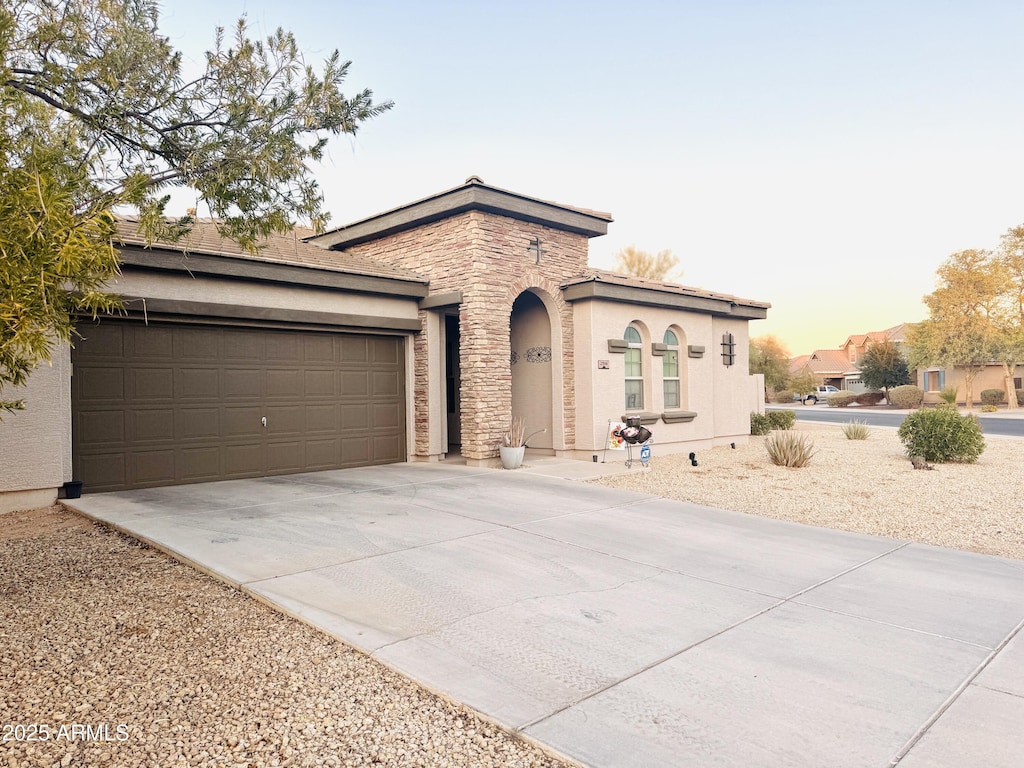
(533, 368)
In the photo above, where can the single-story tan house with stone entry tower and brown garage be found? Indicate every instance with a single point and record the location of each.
(415, 334)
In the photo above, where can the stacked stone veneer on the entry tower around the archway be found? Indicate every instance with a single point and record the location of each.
(486, 258)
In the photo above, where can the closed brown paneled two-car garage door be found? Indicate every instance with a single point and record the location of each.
(163, 405)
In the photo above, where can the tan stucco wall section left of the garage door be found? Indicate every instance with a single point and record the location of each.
(35, 444)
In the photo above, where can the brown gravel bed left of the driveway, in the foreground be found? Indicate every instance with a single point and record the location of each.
(168, 667)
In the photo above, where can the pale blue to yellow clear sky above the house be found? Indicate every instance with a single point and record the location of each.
(825, 157)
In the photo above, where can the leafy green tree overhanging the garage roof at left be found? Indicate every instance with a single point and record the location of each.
(97, 114)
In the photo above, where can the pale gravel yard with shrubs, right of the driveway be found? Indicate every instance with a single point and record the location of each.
(868, 487)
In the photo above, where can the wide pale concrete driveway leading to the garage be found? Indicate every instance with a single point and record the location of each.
(621, 629)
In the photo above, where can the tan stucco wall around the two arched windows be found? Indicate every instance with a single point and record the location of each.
(720, 396)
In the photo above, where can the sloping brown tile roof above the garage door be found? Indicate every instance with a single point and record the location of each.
(282, 249)
